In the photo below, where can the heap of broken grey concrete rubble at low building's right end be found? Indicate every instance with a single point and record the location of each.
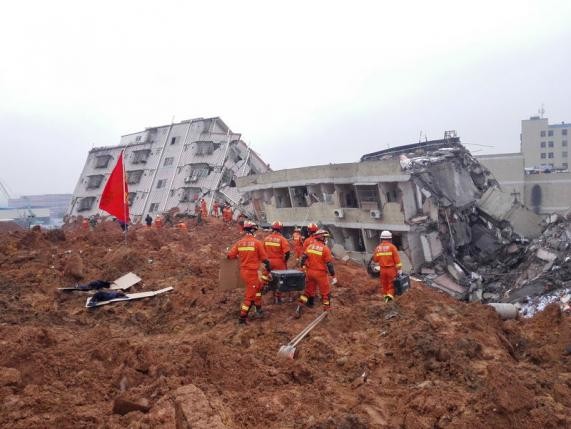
(479, 243)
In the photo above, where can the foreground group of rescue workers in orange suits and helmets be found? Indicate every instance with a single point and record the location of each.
(314, 257)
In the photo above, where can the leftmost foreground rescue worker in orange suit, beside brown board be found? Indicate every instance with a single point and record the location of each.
(251, 252)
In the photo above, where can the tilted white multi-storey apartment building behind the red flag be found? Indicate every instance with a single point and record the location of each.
(170, 166)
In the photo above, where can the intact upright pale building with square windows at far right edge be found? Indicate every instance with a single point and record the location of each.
(545, 145)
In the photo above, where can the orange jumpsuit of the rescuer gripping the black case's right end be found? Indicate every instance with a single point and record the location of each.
(317, 256)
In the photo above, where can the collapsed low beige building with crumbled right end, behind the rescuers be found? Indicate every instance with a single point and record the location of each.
(445, 210)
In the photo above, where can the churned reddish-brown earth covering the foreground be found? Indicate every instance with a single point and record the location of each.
(181, 360)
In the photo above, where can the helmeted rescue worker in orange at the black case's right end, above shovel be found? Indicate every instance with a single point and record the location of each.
(317, 262)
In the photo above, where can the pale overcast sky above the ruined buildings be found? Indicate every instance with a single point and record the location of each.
(305, 82)
